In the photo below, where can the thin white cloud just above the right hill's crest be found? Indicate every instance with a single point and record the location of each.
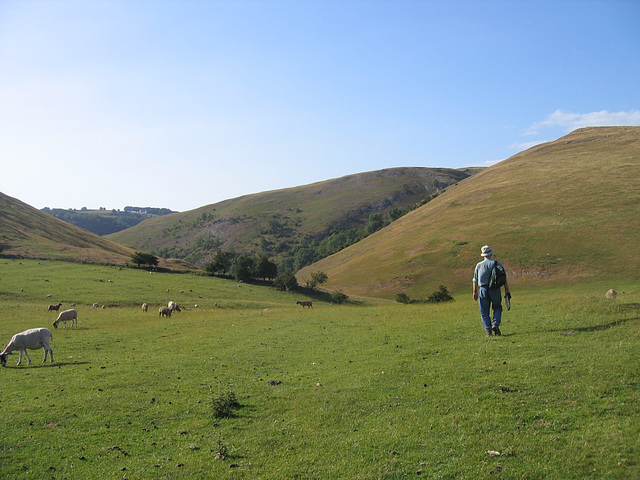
(570, 121)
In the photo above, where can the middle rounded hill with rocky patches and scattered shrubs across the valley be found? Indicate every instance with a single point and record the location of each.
(283, 223)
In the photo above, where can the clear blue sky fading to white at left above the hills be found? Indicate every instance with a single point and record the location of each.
(180, 104)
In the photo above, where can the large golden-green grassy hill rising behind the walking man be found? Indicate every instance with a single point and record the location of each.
(559, 212)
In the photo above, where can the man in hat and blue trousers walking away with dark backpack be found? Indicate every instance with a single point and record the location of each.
(488, 298)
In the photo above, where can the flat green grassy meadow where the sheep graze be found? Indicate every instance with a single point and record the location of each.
(373, 390)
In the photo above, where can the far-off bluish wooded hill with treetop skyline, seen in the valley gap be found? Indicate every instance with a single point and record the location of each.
(103, 221)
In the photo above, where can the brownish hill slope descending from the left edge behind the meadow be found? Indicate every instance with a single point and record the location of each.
(27, 232)
